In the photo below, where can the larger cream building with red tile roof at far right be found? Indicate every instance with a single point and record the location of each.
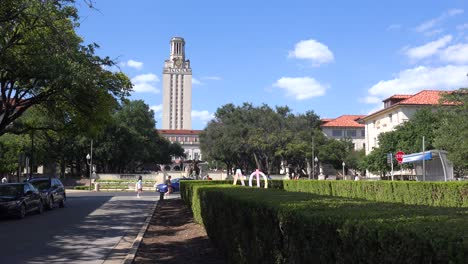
(397, 109)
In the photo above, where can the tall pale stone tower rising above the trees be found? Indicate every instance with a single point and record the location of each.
(177, 88)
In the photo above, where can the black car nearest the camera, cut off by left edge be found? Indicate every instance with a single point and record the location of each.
(18, 199)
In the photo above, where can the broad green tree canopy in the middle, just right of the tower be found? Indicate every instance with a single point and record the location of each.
(262, 137)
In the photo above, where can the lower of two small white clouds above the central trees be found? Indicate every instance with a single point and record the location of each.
(301, 88)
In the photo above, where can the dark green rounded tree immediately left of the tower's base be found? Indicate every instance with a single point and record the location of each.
(130, 141)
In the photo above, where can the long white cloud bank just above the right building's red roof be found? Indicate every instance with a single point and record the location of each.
(413, 80)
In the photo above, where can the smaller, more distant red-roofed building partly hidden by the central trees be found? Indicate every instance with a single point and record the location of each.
(345, 126)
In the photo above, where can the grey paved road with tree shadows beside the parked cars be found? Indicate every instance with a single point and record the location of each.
(91, 228)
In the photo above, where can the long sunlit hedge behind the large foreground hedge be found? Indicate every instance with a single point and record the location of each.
(446, 194)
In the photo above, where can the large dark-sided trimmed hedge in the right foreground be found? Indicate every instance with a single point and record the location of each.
(273, 226)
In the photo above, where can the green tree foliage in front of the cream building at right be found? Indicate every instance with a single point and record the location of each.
(444, 127)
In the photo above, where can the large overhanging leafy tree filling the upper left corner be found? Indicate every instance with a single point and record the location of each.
(43, 61)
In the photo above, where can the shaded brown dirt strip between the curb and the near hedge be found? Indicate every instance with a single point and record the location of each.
(172, 237)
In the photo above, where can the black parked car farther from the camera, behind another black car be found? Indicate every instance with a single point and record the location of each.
(52, 191)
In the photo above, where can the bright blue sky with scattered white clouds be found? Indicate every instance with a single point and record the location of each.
(332, 57)
